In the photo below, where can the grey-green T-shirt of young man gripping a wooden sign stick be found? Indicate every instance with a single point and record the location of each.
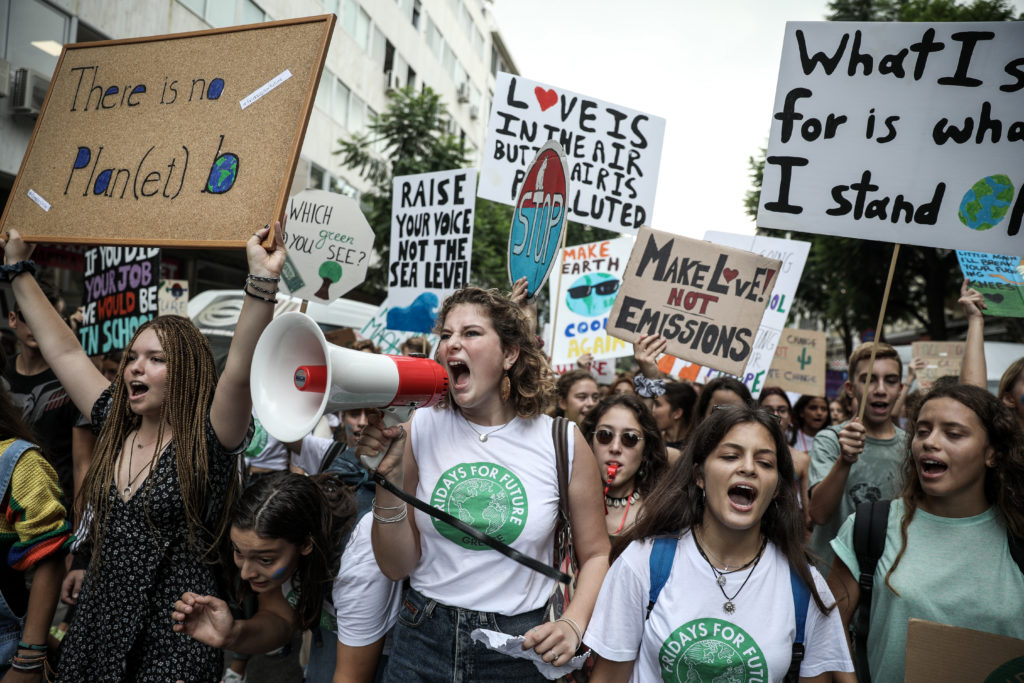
(877, 476)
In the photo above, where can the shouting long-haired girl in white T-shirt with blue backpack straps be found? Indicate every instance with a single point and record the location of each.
(728, 604)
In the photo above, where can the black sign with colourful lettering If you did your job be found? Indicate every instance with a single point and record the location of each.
(120, 295)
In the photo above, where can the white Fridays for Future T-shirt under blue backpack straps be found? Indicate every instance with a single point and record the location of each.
(690, 634)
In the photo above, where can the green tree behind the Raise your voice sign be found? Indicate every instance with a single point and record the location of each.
(411, 137)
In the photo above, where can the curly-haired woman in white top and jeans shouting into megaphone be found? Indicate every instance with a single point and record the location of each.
(488, 457)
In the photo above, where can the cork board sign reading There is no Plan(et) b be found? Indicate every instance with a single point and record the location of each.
(186, 141)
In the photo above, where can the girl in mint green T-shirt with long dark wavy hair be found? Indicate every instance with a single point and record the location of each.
(947, 556)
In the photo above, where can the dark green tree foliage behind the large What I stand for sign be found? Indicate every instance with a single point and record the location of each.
(844, 279)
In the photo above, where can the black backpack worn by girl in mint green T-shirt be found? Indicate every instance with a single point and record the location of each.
(871, 524)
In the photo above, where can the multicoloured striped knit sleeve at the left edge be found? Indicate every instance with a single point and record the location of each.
(34, 514)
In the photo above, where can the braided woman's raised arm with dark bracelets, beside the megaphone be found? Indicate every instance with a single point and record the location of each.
(233, 403)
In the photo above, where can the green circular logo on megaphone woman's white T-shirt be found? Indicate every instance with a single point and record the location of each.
(485, 496)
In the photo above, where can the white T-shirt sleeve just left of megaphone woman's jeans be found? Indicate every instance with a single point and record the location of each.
(366, 602)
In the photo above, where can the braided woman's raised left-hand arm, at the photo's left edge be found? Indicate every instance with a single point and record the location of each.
(57, 341)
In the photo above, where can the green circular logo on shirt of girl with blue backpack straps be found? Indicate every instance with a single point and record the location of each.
(711, 650)
